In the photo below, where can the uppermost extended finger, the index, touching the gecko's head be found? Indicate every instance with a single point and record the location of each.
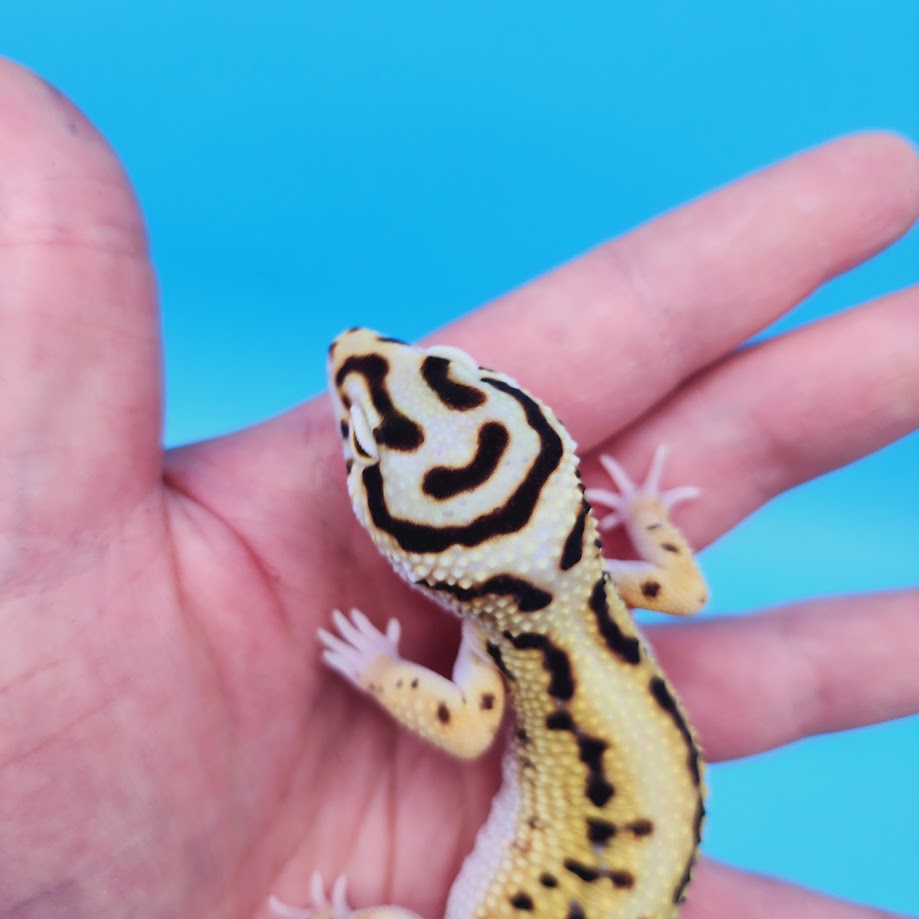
(608, 335)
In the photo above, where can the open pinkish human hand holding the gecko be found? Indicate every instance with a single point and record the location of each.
(170, 744)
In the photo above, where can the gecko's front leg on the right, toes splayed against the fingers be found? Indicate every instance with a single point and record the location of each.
(667, 578)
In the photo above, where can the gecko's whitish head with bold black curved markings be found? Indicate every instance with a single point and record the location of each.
(443, 456)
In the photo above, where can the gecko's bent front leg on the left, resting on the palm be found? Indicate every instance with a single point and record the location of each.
(459, 715)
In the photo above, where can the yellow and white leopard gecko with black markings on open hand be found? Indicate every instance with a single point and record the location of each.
(470, 487)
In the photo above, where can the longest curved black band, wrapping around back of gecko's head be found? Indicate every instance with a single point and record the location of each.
(511, 517)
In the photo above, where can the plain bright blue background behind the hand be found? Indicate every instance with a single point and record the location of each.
(309, 166)
